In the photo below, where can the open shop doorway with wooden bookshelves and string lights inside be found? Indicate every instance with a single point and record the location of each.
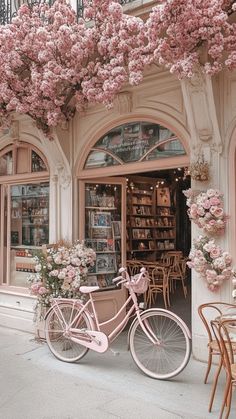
(157, 226)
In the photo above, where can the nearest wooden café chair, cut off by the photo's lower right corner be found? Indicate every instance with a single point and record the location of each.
(222, 331)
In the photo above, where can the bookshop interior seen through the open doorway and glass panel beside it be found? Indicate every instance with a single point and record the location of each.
(152, 229)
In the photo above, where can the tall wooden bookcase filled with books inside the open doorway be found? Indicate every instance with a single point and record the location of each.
(151, 226)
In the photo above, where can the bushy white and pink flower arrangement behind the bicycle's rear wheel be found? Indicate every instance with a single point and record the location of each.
(60, 271)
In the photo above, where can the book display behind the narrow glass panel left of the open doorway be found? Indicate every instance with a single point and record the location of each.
(103, 232)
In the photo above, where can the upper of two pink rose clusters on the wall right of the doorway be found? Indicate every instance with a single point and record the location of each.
(206, 210)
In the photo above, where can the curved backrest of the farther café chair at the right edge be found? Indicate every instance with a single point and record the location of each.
(209, 311)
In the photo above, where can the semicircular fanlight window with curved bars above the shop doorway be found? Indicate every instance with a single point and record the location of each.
(133, 142)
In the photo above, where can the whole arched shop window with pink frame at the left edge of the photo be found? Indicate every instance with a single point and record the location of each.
(24, 211)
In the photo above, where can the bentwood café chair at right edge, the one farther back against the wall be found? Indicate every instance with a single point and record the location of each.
(207, 313)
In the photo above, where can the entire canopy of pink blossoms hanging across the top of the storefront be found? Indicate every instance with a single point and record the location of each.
(52, 65)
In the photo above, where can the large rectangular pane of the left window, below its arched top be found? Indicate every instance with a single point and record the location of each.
(29, 228)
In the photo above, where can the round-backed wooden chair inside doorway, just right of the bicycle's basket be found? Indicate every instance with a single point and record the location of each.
(159, 285)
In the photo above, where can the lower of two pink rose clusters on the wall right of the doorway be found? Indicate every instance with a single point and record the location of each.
(209, 260)
